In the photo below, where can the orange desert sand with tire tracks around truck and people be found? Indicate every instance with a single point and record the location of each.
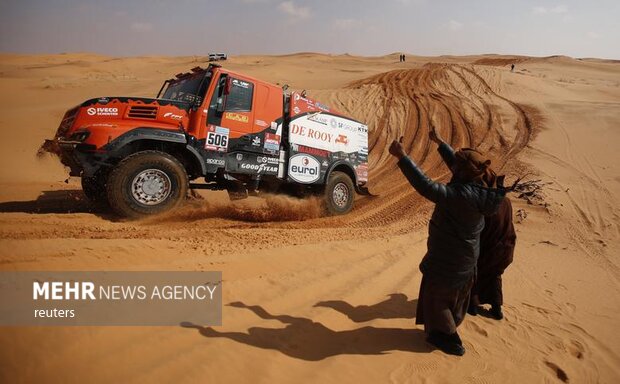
(332, 299)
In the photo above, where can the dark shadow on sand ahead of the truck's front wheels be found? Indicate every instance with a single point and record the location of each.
(65, 201)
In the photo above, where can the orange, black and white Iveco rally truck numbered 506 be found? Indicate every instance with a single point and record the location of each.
(227, 130)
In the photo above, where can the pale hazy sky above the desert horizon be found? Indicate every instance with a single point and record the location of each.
(362, 27)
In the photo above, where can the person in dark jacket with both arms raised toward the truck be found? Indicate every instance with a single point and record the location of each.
(449, 266)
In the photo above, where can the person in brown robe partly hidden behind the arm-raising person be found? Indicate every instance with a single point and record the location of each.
(497, 244)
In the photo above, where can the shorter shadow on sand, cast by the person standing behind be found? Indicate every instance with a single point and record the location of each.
(397, 306)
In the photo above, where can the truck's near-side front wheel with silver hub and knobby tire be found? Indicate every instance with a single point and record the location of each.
(146, 183)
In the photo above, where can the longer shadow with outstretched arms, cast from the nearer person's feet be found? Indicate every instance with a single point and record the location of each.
(305, 339)
